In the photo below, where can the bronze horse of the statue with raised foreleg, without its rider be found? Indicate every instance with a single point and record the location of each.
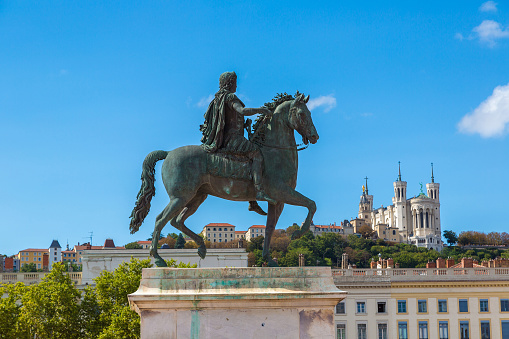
(188, 179)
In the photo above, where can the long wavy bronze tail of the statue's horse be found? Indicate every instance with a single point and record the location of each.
(147, 190)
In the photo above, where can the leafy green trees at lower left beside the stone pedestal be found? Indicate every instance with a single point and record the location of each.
(55, 308)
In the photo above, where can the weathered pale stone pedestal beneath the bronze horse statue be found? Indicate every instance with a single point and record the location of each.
(286, 302)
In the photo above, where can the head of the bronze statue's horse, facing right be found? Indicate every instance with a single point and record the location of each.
(300, 119)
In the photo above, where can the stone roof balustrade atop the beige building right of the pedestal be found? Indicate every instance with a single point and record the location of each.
(420, 274)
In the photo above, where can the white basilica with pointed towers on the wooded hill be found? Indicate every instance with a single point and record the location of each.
(414, 220)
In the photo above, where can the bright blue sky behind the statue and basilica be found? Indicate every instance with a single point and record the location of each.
(88, 89)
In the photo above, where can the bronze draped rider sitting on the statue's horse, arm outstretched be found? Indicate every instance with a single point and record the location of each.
(223, 130)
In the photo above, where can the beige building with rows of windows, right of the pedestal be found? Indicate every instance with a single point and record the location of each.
(452, 303)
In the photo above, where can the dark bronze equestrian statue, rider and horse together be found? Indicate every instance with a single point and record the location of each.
(229, 166)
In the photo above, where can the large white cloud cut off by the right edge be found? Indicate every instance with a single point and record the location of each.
(491, 118)
